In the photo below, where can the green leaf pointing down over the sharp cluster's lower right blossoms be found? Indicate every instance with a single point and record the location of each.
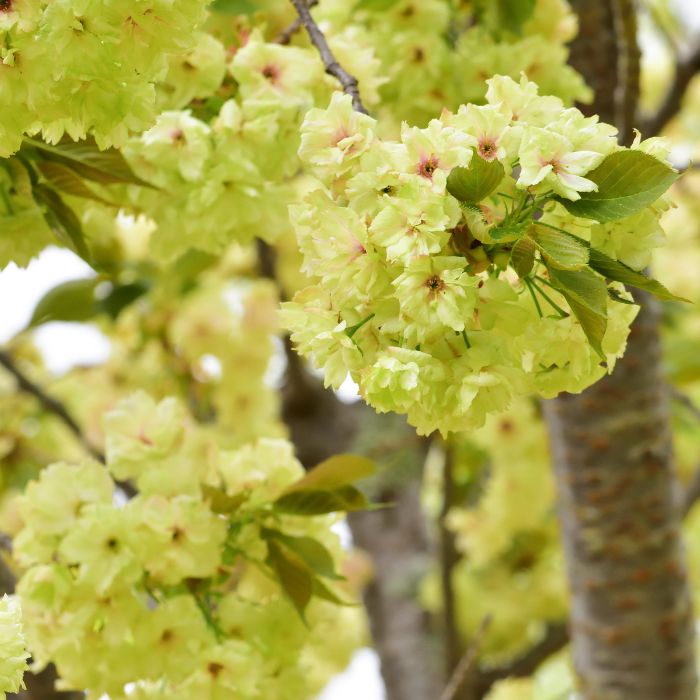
(587, 294)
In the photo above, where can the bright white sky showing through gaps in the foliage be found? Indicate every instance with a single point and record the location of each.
(65, 345)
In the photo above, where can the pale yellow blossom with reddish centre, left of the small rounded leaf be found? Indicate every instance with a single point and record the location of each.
(431, 153)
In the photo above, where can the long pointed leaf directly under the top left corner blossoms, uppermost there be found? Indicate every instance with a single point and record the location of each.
(87, 160)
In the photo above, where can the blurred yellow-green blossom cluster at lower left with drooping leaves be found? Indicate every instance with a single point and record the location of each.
(175, 589)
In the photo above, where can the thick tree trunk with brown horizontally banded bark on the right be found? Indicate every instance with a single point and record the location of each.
(632, 622)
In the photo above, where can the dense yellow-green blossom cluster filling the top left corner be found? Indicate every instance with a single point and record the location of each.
(74, 66)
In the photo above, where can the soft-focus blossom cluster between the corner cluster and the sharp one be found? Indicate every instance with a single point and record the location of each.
(223, 179)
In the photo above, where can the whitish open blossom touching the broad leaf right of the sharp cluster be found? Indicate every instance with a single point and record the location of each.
(548, 160)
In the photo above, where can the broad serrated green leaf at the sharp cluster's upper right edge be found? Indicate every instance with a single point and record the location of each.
(628, 181)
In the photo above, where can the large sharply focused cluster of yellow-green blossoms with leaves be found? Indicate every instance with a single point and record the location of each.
(412, 243)
